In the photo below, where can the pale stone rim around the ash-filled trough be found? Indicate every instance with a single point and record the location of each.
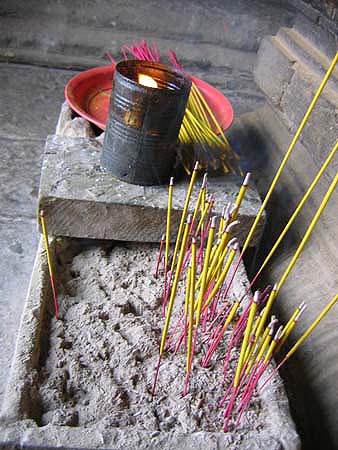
(18, 426)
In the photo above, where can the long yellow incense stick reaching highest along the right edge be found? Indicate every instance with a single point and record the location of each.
(289, 151)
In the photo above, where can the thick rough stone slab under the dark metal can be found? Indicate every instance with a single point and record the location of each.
(81, 199)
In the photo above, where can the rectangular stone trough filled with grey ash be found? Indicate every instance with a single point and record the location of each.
(84, 381)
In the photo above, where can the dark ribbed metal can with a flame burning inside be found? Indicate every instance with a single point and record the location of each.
(146, 111)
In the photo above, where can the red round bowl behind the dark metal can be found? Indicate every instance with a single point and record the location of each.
(88, 93)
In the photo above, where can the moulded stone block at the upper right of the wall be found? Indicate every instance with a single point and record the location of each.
(290, 67)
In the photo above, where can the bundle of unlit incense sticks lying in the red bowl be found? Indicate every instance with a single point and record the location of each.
(201, 135)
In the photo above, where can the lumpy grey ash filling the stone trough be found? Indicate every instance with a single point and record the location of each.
(103, 352)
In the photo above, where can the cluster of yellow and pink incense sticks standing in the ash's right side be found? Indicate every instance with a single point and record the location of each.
(203, 258)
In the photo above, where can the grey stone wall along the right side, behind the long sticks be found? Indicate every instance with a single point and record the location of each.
(290, 66)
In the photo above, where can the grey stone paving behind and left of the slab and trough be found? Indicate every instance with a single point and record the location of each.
(217, 40)
